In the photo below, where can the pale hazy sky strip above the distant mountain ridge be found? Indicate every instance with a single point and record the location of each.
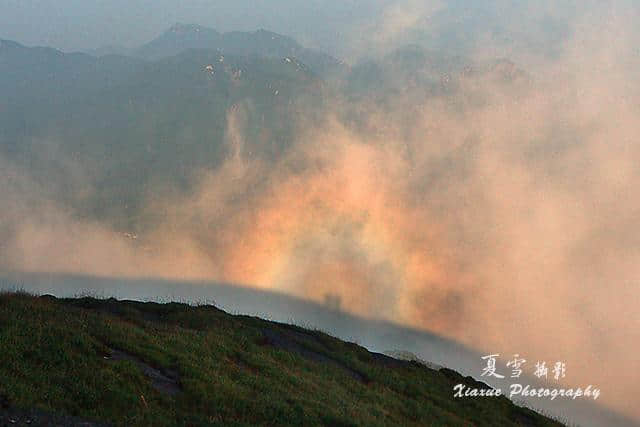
(345, 28)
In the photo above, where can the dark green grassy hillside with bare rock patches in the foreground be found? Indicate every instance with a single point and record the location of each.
(132, 363)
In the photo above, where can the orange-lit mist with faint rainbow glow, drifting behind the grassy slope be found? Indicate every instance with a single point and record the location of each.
(499, 213)
